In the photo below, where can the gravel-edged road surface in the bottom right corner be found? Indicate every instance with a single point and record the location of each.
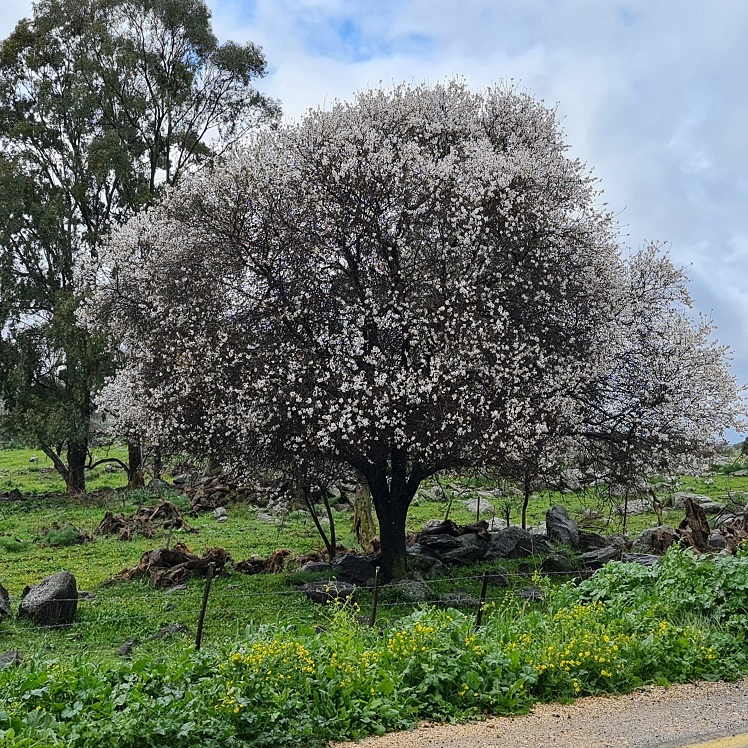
(651, 717)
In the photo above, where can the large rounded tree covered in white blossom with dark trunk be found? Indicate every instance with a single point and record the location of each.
(417, 281)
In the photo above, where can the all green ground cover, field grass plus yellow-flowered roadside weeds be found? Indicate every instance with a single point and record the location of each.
(277, 670)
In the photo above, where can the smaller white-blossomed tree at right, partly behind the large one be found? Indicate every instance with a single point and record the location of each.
(666, 390)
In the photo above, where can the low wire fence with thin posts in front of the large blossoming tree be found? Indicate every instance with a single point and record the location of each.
(154, 615)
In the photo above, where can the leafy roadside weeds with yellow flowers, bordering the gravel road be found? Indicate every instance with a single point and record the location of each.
(296, 685)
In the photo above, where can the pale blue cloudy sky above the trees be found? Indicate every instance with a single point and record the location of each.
(652, 95)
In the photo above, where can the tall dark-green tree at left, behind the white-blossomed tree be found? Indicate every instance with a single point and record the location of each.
(103, 103)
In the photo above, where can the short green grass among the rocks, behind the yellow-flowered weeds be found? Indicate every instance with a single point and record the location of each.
(134, 610)
